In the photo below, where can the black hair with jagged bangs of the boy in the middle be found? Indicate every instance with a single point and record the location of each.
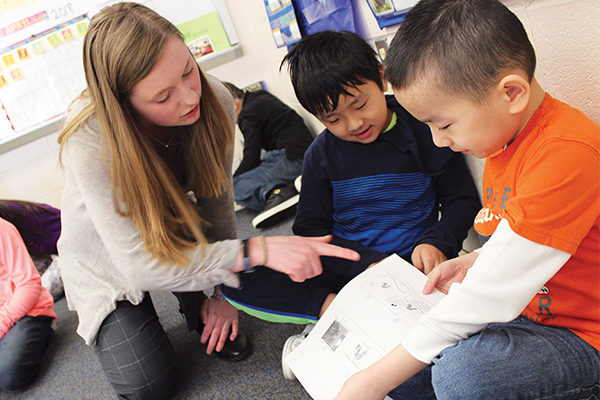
(325, 64)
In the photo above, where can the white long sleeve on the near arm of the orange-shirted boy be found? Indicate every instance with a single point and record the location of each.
(506, 275)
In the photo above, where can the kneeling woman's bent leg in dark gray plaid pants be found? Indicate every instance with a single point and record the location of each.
(135, 352)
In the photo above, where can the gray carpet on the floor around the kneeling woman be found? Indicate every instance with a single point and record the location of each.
(71, 370)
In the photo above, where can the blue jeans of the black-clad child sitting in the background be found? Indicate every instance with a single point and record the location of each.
(275, 170)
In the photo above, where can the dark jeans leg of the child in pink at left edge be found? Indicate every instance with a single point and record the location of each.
(21, 351)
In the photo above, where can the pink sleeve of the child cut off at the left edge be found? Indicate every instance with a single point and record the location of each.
(25, 281)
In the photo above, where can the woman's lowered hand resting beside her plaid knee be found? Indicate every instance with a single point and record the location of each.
(219, 317)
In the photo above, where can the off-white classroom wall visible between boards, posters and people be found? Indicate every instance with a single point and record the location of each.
(565, 34)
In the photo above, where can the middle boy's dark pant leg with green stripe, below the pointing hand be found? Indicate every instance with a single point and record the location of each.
(273, 296)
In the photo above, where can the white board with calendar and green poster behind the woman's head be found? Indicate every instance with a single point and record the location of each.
(41, 41)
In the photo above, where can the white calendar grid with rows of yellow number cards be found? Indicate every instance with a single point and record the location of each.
(40, 76)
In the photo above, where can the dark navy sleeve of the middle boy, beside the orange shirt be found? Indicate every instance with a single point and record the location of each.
(459, 203)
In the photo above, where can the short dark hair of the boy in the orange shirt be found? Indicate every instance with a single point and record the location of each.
(464, 44)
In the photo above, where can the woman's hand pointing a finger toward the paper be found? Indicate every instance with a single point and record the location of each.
(298, 256)
